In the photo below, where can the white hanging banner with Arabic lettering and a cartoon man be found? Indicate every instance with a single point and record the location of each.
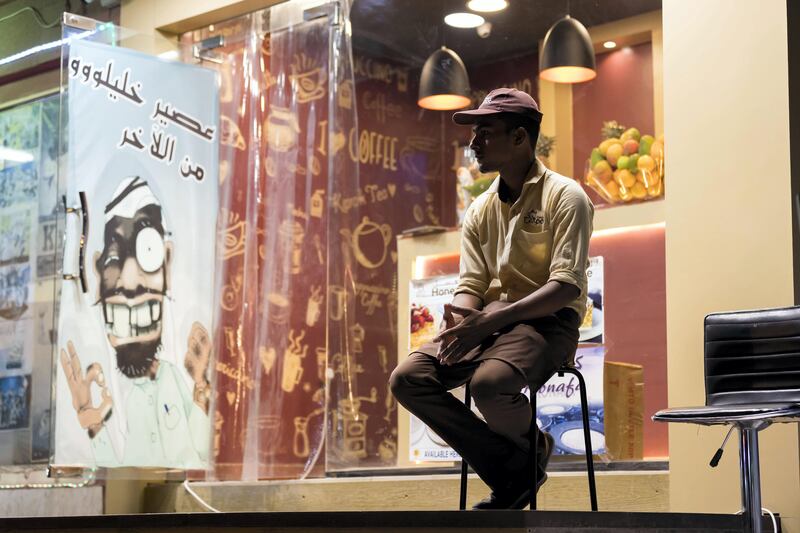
(134, 340)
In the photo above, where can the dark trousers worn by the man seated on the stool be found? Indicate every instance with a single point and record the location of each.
(495, 449)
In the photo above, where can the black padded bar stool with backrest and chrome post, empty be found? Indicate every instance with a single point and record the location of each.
(752, 375)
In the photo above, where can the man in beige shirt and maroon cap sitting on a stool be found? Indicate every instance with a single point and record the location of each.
(515, 314)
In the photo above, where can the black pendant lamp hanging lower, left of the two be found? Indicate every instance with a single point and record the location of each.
(444, 84)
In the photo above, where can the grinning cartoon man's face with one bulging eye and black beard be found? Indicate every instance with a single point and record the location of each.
(133, 271)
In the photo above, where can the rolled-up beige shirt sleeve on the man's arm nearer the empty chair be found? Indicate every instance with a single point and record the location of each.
(572, 229)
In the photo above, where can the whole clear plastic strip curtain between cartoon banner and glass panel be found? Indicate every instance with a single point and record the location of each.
(278, 85)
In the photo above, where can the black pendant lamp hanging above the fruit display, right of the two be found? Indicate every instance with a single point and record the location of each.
(567, 53)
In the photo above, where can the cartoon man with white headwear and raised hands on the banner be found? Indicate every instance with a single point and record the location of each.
(166, 424)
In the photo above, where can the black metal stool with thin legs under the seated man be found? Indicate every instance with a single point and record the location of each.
(534, 434)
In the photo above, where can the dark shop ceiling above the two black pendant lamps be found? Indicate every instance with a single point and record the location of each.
(409, 30)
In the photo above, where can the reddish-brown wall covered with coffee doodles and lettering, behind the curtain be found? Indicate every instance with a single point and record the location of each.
(393, 172)
